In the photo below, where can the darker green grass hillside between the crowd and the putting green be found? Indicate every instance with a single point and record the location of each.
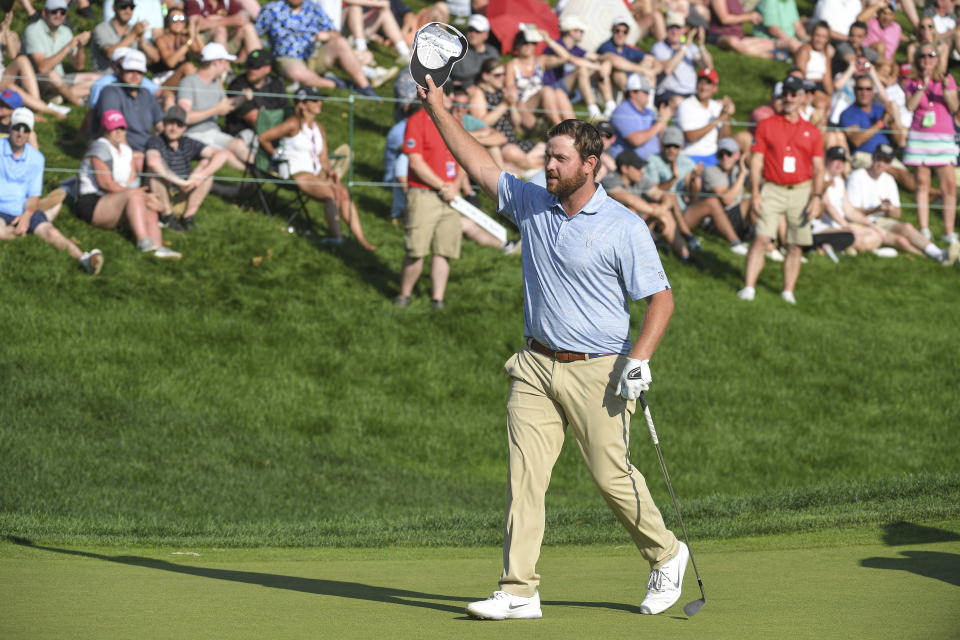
(265, 391)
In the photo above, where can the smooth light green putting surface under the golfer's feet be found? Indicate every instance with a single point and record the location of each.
(901, 583)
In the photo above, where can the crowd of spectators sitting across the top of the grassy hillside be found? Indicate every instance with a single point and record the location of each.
(873, 77)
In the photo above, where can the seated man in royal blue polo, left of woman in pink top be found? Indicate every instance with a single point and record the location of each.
(866, 120)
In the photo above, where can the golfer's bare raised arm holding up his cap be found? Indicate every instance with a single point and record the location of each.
(471, 155)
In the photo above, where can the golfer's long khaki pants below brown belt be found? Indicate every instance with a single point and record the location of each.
(546, 397)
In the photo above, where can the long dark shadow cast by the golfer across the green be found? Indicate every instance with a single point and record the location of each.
(337, 588)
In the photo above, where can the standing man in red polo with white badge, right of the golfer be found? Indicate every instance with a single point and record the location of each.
(788, 155)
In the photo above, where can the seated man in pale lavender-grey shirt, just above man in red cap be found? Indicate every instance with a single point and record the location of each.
(682, 52)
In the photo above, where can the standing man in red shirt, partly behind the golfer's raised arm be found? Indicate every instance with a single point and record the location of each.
(432, 225)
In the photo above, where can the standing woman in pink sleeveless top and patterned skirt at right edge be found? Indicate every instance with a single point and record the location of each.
(932, 97)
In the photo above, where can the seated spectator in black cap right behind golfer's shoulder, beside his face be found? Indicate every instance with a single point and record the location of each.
(630, 187)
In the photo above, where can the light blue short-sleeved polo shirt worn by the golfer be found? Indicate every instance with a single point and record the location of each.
(579, 271)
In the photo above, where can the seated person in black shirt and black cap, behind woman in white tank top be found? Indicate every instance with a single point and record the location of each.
(268, 93)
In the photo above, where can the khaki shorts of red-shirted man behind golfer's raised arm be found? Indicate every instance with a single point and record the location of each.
(433, 226)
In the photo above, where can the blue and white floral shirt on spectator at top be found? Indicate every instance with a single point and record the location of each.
(292, 34)
